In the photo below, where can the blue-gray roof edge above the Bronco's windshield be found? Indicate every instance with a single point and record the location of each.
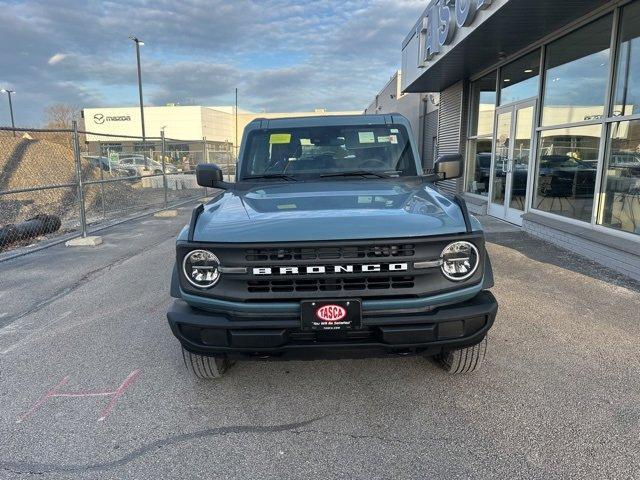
(328, 120)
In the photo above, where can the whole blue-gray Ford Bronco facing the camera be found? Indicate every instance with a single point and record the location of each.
(332, 242)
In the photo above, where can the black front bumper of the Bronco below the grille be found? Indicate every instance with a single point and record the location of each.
(444, 328)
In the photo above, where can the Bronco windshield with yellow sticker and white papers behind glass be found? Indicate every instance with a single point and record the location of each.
(298, 153)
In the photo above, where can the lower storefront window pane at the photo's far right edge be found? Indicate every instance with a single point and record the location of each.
(620, 199)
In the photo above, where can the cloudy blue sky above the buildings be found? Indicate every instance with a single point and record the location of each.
(281, 55)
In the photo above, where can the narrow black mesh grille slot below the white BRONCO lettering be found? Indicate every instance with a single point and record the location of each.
(330, 284)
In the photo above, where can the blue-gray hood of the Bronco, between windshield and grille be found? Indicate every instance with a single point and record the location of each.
(329, 210)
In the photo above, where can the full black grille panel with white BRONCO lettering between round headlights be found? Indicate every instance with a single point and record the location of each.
(293, 271)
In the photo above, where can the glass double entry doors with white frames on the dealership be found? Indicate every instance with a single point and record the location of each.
(512, 161)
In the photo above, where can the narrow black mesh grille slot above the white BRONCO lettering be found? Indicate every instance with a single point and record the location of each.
(329, 253)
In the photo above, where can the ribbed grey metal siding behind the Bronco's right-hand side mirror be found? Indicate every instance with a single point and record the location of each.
(449, 129)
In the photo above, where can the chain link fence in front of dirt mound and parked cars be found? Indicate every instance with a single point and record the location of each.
(56, 184)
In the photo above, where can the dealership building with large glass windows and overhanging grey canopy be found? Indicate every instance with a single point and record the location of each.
(543, 100)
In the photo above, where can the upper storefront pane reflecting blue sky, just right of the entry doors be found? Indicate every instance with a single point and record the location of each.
(577, 67)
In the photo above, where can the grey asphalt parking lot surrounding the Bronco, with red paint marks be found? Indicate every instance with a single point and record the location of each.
(559, 396)
